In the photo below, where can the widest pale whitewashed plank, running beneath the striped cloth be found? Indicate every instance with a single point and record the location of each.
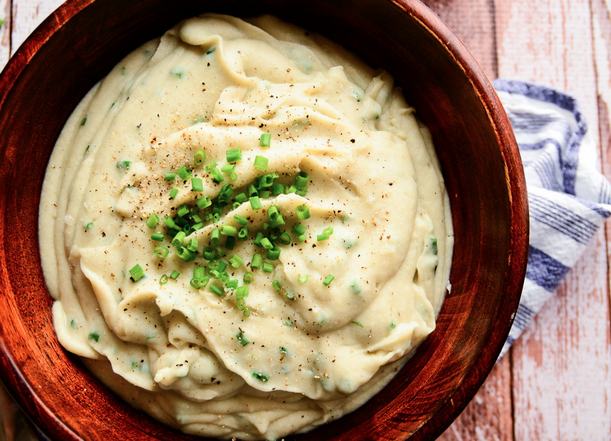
(560, 365)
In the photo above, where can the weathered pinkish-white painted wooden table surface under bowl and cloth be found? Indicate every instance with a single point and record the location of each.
(555, 383)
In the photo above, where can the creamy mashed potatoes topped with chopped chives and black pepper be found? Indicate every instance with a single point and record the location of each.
(250, 229)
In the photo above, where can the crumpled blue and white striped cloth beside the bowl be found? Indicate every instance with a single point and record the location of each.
(568, 196)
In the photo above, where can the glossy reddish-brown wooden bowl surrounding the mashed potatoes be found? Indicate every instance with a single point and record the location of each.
(78, 45)
